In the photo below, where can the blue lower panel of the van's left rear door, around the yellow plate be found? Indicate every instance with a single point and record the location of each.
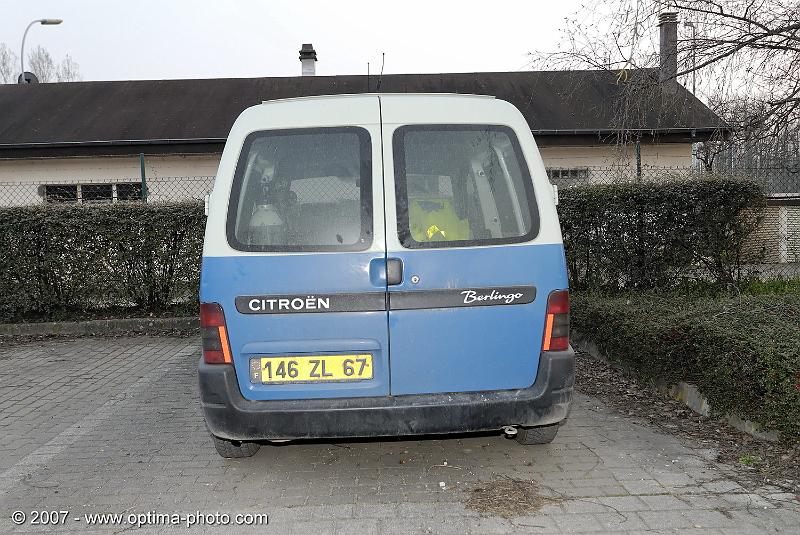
(224, 278)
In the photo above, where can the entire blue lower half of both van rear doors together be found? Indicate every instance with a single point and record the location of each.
(433, 350)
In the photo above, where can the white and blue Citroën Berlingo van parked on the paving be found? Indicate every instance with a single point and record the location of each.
(382, 265)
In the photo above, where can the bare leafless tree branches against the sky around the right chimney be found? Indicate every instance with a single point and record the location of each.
(744, 54)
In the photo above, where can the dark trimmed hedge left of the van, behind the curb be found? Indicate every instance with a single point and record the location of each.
(83, 257)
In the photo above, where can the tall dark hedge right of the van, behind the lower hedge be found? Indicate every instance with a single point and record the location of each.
(654, 236)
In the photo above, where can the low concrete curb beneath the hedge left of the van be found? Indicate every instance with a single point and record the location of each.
(99, 327)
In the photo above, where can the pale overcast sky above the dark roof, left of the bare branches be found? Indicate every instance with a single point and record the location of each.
(152, 39)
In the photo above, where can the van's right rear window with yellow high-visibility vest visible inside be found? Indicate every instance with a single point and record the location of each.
(462, 185)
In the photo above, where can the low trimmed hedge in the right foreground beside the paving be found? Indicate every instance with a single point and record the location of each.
(743, 353)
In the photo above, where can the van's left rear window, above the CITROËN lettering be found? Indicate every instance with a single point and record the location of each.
(303, 190)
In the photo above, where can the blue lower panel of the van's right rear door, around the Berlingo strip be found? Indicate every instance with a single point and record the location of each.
(468, 349)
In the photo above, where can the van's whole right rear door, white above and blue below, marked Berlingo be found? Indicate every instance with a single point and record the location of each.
(468, 314)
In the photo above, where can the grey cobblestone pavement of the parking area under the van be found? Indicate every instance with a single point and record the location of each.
(113, 426)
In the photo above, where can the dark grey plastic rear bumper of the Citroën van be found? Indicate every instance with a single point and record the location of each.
(230, 416)
